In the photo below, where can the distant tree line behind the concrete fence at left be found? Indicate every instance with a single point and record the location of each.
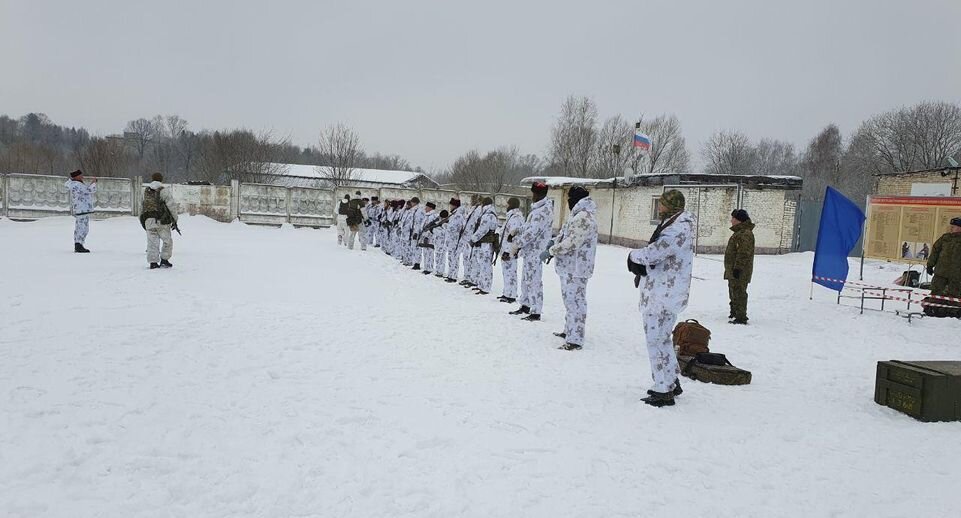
(34, 144)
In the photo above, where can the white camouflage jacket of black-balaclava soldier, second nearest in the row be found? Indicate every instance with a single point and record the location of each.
(576, 244)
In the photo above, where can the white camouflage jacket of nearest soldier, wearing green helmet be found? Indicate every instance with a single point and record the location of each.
(670, 261)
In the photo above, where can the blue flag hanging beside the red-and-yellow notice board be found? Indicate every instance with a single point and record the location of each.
(841, 224)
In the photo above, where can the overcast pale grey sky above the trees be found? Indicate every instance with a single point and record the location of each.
(431, 79)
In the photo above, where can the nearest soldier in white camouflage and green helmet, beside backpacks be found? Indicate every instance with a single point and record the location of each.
(663, 269)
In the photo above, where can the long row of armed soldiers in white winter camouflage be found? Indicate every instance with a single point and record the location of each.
(469, 237)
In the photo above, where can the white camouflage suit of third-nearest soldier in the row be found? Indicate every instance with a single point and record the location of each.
(532, 240)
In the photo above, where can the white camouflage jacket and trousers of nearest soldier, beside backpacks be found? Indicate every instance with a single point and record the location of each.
(664, 294)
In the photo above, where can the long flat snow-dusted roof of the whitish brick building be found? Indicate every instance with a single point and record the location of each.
(670, 179)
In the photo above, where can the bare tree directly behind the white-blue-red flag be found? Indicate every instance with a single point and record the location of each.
(668, 153)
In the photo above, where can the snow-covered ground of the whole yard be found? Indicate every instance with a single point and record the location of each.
(272, 373)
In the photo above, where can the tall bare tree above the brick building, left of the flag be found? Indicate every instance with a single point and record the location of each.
(574, 138)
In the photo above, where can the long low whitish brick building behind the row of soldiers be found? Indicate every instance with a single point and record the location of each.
(627, 208)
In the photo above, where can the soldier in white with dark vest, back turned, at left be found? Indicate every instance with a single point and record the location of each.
(158, 218)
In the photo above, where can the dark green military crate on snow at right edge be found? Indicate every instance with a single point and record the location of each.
(927, 391)
